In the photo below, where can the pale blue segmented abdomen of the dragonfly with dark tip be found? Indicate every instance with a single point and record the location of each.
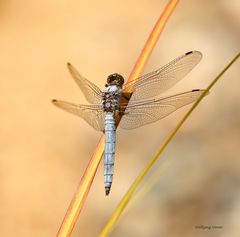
(109, 151)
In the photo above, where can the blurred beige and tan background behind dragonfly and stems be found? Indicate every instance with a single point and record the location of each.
(44, 150)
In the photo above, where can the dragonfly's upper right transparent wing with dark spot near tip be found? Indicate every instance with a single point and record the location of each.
(155, 83)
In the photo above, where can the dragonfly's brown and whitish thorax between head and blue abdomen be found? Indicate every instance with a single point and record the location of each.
(111, 97)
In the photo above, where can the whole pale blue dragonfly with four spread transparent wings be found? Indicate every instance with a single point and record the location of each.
(133, 104)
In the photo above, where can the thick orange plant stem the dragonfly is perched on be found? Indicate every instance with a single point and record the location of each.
(87, 179)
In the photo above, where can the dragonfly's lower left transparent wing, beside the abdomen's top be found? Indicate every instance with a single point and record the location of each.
(92, 114)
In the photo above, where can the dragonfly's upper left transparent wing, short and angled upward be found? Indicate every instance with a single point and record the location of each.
(91, 92)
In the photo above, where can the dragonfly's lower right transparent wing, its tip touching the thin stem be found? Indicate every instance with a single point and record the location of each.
(151, 110)
